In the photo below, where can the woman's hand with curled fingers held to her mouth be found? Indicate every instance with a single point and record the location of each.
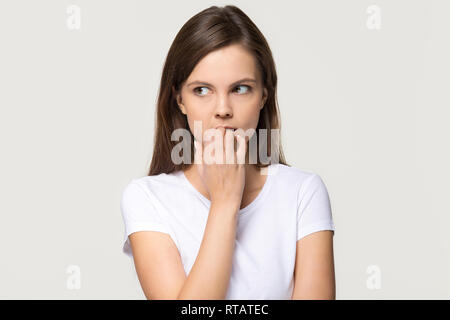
(223, 176)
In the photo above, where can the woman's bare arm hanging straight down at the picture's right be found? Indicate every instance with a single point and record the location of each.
(314, 276)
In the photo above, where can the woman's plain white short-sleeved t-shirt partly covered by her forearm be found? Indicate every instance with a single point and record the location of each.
(292, 204)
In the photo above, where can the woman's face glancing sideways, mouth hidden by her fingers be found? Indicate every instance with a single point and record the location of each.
(224, 89)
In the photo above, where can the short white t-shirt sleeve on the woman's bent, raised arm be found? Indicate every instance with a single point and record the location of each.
(138, 214)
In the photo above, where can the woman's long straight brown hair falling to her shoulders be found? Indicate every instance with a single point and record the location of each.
(209, 30)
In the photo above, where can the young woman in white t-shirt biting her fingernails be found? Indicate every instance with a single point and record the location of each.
(239, 230)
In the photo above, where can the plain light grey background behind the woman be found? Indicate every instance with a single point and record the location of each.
(367, 110)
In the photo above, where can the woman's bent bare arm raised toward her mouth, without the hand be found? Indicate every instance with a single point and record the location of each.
(160, 270)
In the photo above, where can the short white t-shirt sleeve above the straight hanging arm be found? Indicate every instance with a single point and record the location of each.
(314, 210)
